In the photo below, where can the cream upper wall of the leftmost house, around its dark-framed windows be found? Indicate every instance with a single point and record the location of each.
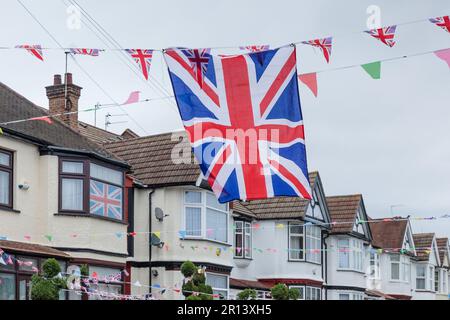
(35, 210)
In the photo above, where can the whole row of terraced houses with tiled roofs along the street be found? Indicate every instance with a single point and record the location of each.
(138, 207)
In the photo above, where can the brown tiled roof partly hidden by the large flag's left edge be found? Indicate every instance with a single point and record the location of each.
(151, 159)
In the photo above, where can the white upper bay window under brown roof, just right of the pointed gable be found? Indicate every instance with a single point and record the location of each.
(350, 254)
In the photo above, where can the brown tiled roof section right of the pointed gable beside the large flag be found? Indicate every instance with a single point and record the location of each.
(343, 211)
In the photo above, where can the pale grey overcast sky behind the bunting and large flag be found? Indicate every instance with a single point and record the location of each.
(387, 139)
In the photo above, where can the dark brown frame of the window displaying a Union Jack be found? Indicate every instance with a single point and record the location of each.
(86, 178)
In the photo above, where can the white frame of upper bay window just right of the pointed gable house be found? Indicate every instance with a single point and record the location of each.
(355, 252)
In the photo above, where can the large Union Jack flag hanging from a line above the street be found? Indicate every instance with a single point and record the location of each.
(245, 123)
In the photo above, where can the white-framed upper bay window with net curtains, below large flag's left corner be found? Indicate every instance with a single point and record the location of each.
(205, 217)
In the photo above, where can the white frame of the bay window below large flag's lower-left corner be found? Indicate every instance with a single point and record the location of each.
(203, 209)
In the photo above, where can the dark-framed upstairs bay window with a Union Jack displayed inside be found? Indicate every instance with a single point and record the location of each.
(87, 187)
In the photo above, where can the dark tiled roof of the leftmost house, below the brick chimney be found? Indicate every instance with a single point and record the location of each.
(13, 107)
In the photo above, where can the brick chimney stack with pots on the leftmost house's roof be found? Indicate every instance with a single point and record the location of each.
(57, 103)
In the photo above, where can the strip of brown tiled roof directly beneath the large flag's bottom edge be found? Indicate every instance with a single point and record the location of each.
(280, 207)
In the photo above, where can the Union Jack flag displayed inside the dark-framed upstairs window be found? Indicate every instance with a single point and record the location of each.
(105, 200)
